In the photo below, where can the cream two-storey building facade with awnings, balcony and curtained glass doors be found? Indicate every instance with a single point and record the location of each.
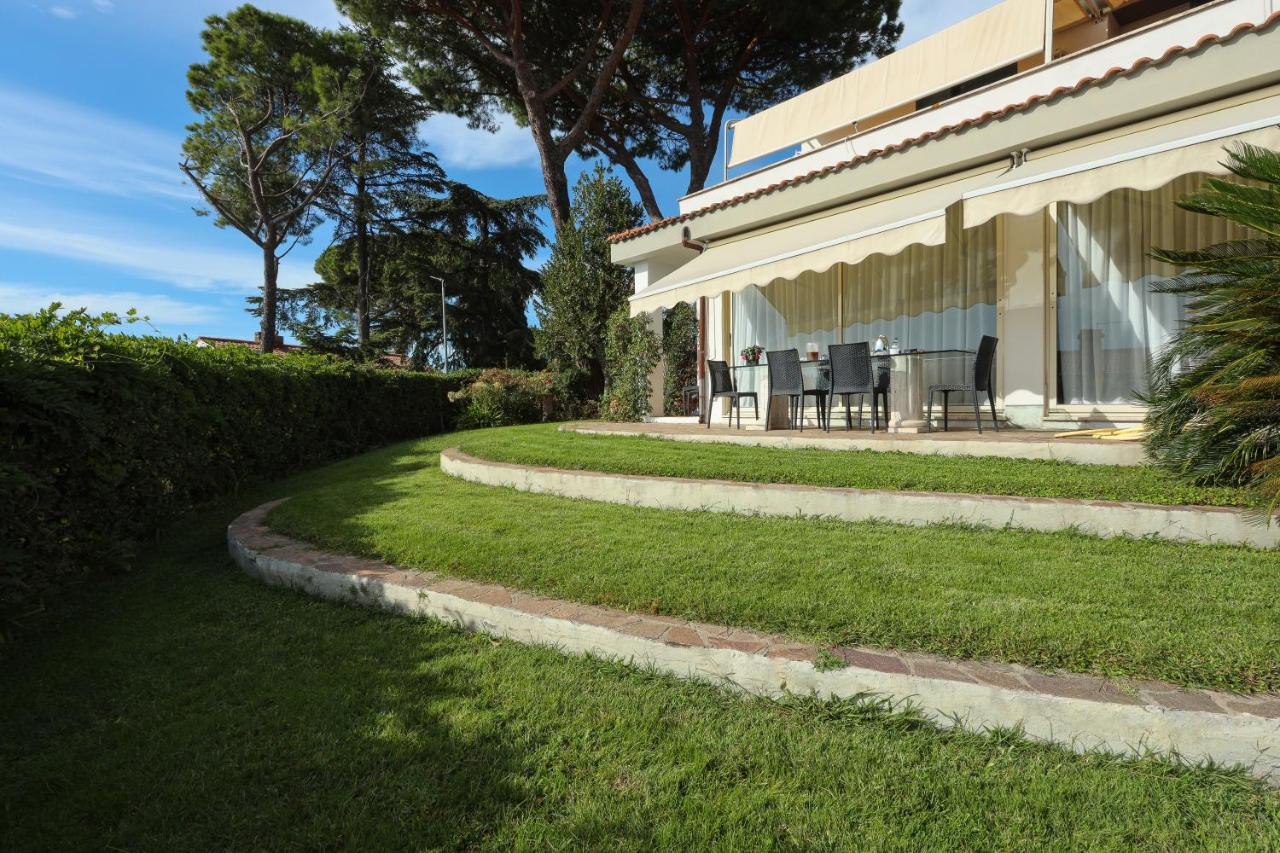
(1008, 177)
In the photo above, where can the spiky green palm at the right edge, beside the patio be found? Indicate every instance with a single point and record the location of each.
(1215, 391)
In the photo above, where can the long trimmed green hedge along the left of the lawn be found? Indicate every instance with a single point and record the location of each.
(106, 439)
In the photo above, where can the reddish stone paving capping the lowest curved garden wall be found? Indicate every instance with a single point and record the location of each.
(250, 532)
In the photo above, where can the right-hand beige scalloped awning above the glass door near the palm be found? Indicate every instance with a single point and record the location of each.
(1145, 159)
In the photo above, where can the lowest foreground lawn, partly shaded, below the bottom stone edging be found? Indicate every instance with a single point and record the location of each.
(191, 709)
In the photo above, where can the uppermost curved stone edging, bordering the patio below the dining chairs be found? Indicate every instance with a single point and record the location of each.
(1082, 453)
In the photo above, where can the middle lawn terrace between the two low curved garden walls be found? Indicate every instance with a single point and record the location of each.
(1195, 615)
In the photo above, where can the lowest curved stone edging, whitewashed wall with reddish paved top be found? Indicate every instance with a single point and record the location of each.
(1081, 713)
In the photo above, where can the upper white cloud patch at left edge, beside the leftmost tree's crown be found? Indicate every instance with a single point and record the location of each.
(52, 140)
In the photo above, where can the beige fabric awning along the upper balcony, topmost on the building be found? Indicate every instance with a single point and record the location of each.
(990, 40)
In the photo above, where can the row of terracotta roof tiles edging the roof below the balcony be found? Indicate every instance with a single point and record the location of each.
(1062, 92)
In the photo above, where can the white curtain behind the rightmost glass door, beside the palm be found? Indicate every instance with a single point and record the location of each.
(1110, 325)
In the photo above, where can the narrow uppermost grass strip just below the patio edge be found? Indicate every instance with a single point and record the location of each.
(546, 445)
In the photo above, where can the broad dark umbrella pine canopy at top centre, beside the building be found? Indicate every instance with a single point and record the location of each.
(633, 81)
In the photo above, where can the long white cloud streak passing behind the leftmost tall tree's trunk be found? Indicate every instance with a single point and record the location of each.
(154, 258)
